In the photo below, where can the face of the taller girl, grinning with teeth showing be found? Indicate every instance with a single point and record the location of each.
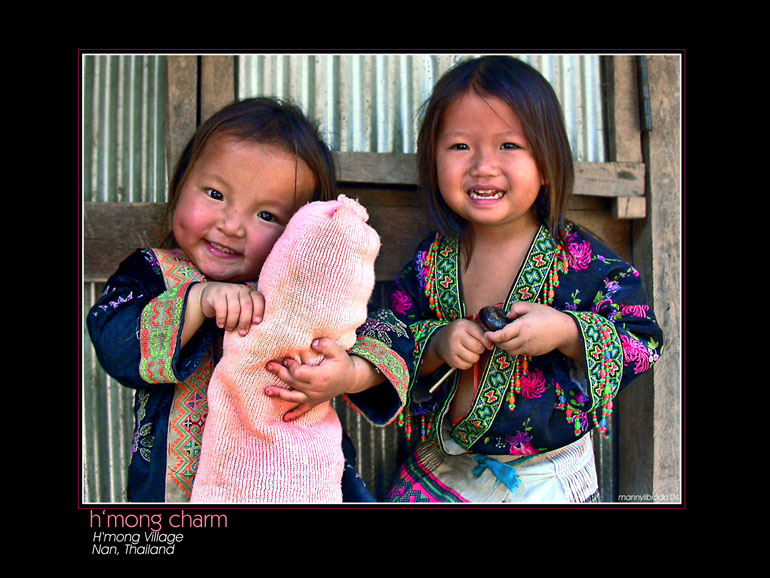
(486, 171)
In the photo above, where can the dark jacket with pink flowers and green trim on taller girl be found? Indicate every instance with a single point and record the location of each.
(552, 405)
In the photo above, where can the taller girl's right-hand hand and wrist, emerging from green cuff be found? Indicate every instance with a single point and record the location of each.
(536, 330)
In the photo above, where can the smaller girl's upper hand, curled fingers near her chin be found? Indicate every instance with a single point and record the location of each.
(234, 306)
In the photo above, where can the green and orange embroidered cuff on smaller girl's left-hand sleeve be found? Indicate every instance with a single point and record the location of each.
(158, 333)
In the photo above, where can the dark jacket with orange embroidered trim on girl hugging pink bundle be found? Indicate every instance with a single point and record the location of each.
(135, 328)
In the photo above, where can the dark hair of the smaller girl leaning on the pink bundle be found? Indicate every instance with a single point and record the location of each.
(266, 121)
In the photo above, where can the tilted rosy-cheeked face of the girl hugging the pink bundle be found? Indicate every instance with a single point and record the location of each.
(234, 204)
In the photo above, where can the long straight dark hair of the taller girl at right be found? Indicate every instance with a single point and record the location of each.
(533, 100)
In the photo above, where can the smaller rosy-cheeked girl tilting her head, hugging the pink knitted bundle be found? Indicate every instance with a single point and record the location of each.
(159, 324)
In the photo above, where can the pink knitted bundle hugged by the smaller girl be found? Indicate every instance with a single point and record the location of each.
(316, 282)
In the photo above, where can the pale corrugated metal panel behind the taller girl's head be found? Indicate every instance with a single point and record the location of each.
(369, 102)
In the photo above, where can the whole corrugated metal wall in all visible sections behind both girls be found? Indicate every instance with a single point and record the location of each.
(364, 103)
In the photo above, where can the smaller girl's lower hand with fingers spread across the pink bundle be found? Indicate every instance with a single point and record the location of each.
(311, 385)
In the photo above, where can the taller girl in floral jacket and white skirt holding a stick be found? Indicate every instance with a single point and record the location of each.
(510, 423)
